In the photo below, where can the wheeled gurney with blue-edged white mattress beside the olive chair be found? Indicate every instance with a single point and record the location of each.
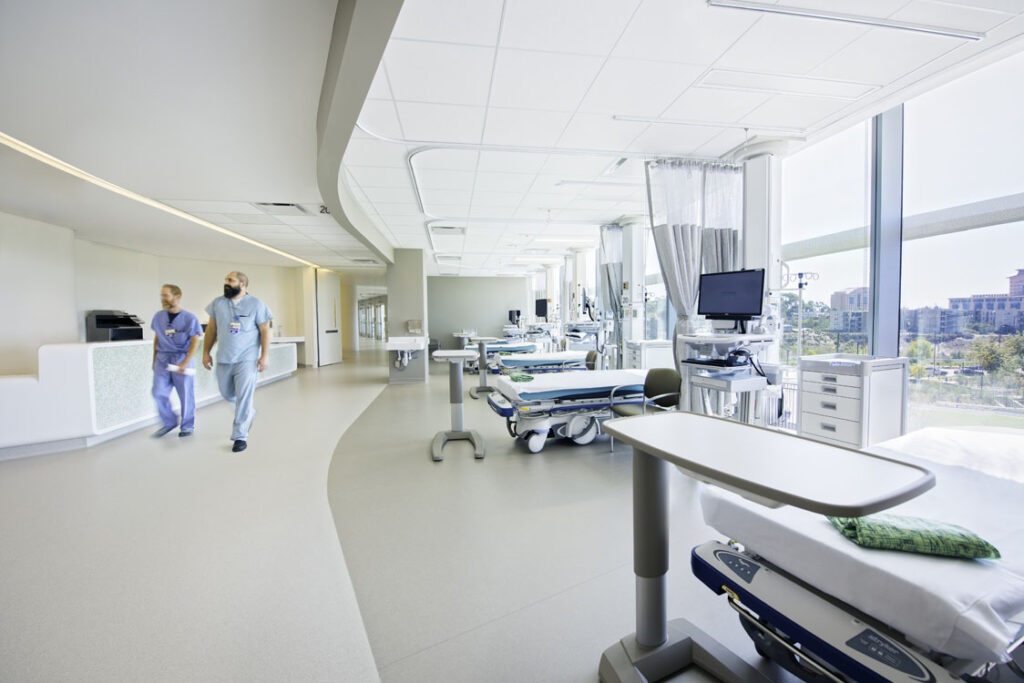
(568, 405)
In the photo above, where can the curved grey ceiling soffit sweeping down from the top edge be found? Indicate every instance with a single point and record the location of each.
(362, 30)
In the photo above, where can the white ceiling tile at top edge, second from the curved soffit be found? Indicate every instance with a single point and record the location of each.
(582, 27)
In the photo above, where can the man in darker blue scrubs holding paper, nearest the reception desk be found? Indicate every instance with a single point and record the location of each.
(177, 334)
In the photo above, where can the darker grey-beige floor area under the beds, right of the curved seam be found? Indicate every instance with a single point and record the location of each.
(517, 568)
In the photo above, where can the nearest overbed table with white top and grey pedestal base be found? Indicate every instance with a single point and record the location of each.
(767, 466)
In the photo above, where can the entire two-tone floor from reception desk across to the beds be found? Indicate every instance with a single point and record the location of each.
(177, 560)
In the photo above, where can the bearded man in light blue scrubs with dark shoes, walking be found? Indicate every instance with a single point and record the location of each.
(241, 323)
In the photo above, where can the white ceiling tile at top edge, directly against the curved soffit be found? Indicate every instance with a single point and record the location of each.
(471, 22)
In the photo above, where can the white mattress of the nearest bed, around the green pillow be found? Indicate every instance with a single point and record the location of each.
(971, 610)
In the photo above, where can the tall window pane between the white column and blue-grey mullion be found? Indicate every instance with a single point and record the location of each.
(826, 210)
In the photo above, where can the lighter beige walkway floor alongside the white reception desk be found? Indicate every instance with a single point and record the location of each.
(178, 561)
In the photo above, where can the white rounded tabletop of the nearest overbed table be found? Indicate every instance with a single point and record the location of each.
(771, 465)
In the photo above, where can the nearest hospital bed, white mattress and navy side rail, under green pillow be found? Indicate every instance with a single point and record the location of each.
(828, 610)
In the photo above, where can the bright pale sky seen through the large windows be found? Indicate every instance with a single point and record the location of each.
(963, 143)
